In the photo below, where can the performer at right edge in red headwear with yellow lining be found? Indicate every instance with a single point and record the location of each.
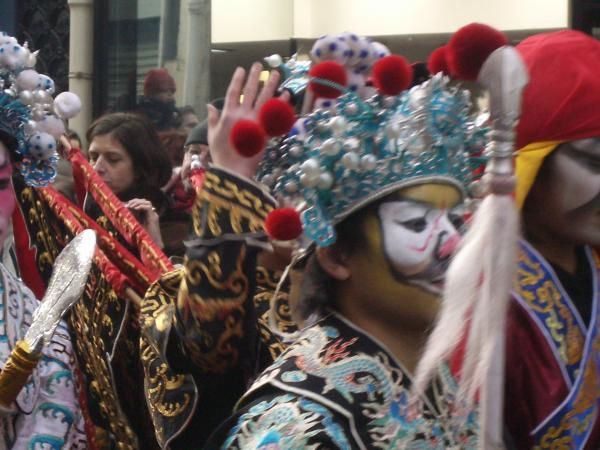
(553, 359)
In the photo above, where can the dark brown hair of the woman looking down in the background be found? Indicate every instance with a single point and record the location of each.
(138, 137)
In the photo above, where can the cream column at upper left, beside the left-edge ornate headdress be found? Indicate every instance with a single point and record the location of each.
(81, 60)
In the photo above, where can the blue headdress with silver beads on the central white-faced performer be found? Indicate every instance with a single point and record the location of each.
(340, 159)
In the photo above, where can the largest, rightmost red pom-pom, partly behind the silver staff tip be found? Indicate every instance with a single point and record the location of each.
(470, 46)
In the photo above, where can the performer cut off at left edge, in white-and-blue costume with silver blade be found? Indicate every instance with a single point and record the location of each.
(39, 405)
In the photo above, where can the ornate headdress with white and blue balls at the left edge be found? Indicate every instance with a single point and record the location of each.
(31, 120)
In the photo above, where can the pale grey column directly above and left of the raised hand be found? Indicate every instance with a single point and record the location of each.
(196, 83)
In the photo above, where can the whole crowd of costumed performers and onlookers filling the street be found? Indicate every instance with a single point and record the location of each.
(348, 255)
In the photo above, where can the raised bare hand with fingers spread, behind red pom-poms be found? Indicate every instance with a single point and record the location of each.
(236, 108)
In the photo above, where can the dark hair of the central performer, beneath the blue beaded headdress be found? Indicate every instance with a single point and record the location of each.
(318, 289)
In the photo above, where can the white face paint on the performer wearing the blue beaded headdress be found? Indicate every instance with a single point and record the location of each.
(418, 240)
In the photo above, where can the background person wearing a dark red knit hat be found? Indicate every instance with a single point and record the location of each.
(158, 101)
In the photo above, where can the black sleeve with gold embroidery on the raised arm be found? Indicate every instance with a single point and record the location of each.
(215, 317)
